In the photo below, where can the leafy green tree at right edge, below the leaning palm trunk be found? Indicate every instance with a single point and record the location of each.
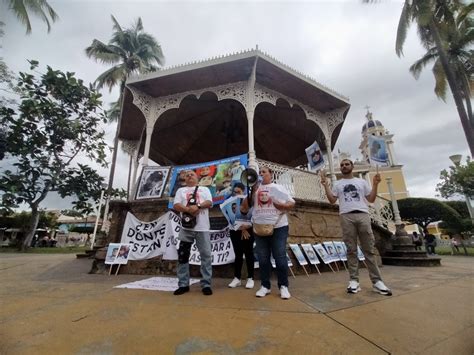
(457, 180)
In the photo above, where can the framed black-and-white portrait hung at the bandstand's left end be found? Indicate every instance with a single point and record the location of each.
(152, 182)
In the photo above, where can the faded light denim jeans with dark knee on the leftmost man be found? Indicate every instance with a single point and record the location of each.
(203, 243)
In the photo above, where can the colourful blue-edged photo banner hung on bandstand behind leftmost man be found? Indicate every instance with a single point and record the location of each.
(219, 176)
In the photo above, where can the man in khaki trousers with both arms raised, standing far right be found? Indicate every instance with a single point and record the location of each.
(353, 194)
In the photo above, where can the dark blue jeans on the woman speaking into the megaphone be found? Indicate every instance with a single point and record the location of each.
(276, 245)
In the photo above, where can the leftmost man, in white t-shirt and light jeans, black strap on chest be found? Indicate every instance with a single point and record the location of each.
(200, 232)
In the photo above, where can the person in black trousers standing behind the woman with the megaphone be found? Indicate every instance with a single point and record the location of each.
(242, 241)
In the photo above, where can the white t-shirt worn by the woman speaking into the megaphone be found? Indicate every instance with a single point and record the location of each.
(264, 212)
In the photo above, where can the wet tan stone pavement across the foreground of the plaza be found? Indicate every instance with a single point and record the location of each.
(50, 305)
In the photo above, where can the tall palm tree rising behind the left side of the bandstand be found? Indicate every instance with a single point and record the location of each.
(130, 51)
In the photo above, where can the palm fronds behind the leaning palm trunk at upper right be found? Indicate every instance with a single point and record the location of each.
(458, 37)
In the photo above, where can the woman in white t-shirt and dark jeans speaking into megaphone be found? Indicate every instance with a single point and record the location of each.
(270, 202)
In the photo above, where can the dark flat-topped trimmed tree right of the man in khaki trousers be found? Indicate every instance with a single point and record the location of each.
(424, 211)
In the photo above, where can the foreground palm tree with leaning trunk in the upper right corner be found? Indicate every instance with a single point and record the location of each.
(433, 18)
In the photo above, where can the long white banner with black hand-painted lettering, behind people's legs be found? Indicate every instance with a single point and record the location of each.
(146, 240)
